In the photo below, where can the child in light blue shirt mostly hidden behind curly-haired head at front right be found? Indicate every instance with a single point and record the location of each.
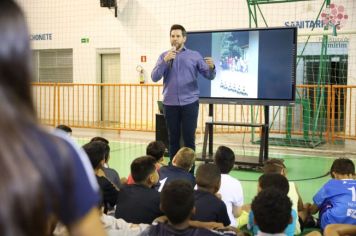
(280, 183)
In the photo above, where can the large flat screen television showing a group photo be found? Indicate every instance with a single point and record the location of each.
(253, 66)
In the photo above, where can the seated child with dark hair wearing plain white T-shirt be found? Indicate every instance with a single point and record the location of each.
(230, 188)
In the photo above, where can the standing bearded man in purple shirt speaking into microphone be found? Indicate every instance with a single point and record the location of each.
(179, 68)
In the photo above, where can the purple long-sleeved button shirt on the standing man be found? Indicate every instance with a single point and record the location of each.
(180, 79)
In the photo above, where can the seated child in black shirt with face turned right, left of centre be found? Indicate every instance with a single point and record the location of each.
(139, 202)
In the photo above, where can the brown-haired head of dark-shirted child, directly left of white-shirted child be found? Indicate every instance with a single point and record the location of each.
(208, 176)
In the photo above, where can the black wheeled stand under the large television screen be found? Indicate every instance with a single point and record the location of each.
(242, 162)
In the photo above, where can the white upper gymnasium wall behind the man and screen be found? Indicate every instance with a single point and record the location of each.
(142, 27)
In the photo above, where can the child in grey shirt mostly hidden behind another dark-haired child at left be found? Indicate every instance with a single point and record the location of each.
(110, 173)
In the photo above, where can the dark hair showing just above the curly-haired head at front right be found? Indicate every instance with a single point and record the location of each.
(277, 181)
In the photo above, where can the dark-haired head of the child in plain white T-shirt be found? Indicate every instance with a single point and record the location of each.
(224, 159)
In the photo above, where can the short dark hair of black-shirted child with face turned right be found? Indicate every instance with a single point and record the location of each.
(142, 167)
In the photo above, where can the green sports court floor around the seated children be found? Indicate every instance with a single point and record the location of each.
(308, 171)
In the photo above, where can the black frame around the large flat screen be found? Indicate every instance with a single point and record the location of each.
(255, 101)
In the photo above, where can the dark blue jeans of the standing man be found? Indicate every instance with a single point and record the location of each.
(181, 118)
